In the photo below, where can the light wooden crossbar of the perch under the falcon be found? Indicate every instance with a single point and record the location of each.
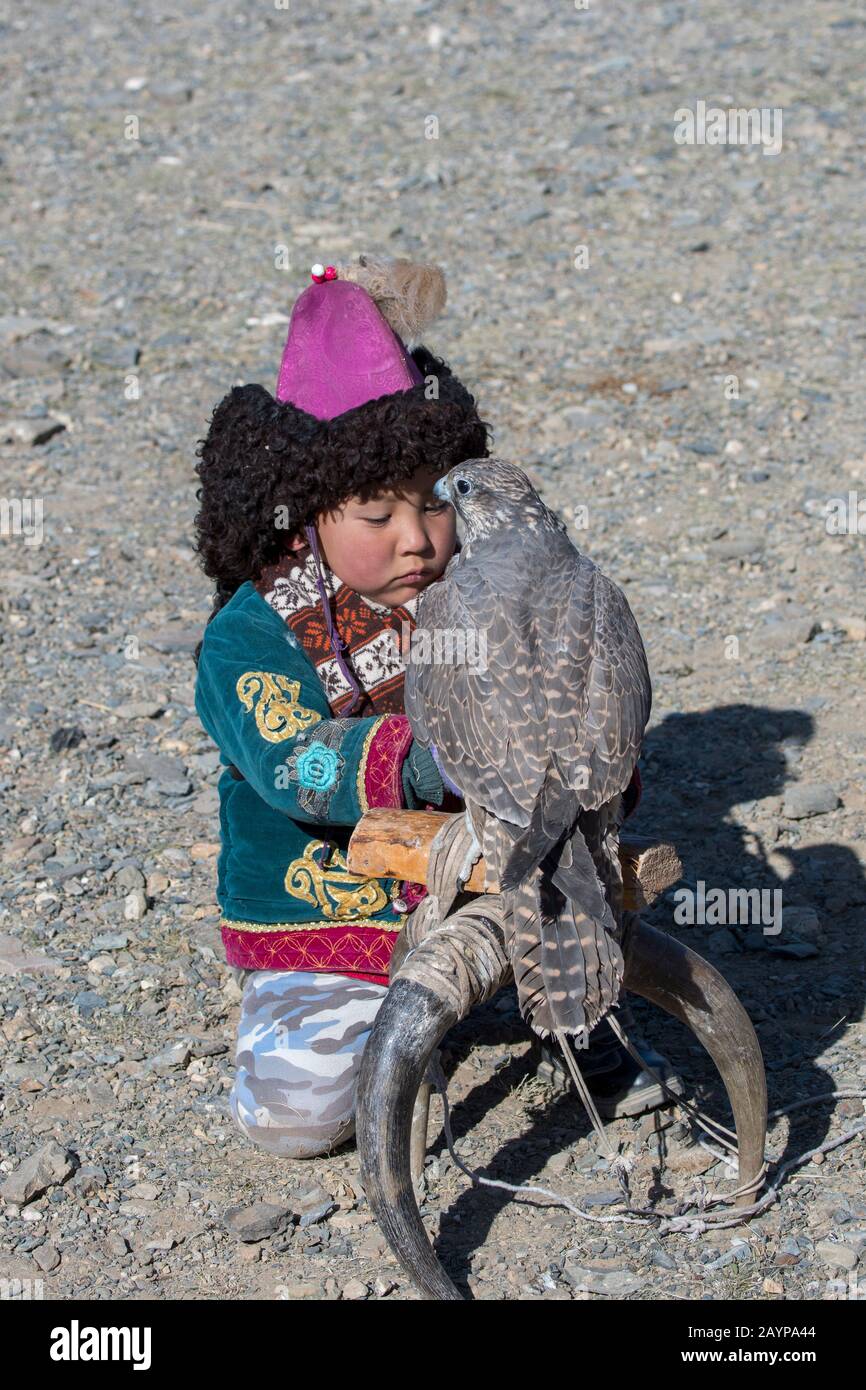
(395, 844)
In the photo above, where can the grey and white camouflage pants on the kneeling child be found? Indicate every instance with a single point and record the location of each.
(300, 1047)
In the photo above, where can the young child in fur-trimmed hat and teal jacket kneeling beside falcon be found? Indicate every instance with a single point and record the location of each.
(320, 529)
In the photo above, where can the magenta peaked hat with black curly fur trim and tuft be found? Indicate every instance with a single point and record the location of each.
(272, 465)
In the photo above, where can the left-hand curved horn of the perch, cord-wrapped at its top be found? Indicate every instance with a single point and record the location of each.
(457, 967)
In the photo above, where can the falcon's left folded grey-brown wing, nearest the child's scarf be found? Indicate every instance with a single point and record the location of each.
(487, 718)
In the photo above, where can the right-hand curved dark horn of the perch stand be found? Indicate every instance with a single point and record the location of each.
(679, 981)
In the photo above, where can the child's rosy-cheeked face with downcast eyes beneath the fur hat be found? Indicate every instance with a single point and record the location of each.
(393, 546)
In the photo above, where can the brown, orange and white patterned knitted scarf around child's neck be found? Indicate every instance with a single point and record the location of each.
(370, 635)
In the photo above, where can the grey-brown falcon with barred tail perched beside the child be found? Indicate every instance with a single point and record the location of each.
(541, 737)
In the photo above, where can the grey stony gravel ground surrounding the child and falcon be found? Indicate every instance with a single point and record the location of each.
(694, 389)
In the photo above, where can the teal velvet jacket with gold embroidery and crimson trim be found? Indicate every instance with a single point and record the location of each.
(302, 780)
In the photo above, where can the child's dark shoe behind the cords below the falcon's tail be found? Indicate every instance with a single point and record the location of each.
(618, 1085)
